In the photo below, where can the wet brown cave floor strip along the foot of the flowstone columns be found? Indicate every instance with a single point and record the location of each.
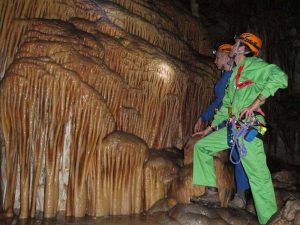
(111, 220)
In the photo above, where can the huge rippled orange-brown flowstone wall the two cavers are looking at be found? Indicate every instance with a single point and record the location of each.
(88, 87)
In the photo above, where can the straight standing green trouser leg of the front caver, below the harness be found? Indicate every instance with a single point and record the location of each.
(260, 180)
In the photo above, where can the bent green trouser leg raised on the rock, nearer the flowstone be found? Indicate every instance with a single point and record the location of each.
(204, 149)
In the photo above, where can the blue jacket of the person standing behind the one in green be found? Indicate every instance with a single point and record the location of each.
(219, 91)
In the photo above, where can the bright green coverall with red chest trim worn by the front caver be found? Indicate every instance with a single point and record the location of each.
(267, 79)
